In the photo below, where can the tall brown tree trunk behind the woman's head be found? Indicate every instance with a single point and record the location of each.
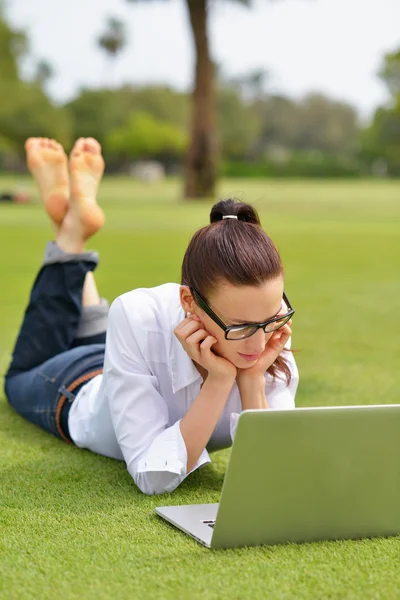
(201, 160)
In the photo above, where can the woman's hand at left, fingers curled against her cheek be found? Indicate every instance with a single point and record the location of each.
(197, 343)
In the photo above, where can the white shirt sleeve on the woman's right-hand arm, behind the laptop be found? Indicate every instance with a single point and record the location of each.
(279, 395)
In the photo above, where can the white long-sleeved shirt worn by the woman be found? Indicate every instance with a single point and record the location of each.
(133, 410)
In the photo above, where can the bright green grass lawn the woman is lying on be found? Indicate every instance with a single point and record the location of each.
(73, 525)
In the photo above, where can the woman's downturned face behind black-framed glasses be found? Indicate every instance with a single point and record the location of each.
(236, 305)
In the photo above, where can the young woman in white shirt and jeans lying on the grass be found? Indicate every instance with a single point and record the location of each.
(179, 362)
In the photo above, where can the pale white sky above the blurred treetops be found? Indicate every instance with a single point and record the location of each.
(331, 46)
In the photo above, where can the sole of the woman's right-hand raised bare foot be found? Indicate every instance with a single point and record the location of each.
(86, 167)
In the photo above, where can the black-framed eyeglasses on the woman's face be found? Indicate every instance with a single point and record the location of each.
(240, 332)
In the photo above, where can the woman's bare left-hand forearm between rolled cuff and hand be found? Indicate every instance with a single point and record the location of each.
(202, 417)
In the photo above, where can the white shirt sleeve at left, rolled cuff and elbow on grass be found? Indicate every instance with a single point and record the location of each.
(154, 452)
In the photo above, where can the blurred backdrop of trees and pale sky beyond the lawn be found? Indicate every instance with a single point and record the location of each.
(292, 88)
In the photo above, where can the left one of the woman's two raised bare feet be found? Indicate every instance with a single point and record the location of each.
(49, 166)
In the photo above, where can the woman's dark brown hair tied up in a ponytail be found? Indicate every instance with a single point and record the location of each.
(234, 250)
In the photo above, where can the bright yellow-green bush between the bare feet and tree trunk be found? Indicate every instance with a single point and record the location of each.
(143, 136)
